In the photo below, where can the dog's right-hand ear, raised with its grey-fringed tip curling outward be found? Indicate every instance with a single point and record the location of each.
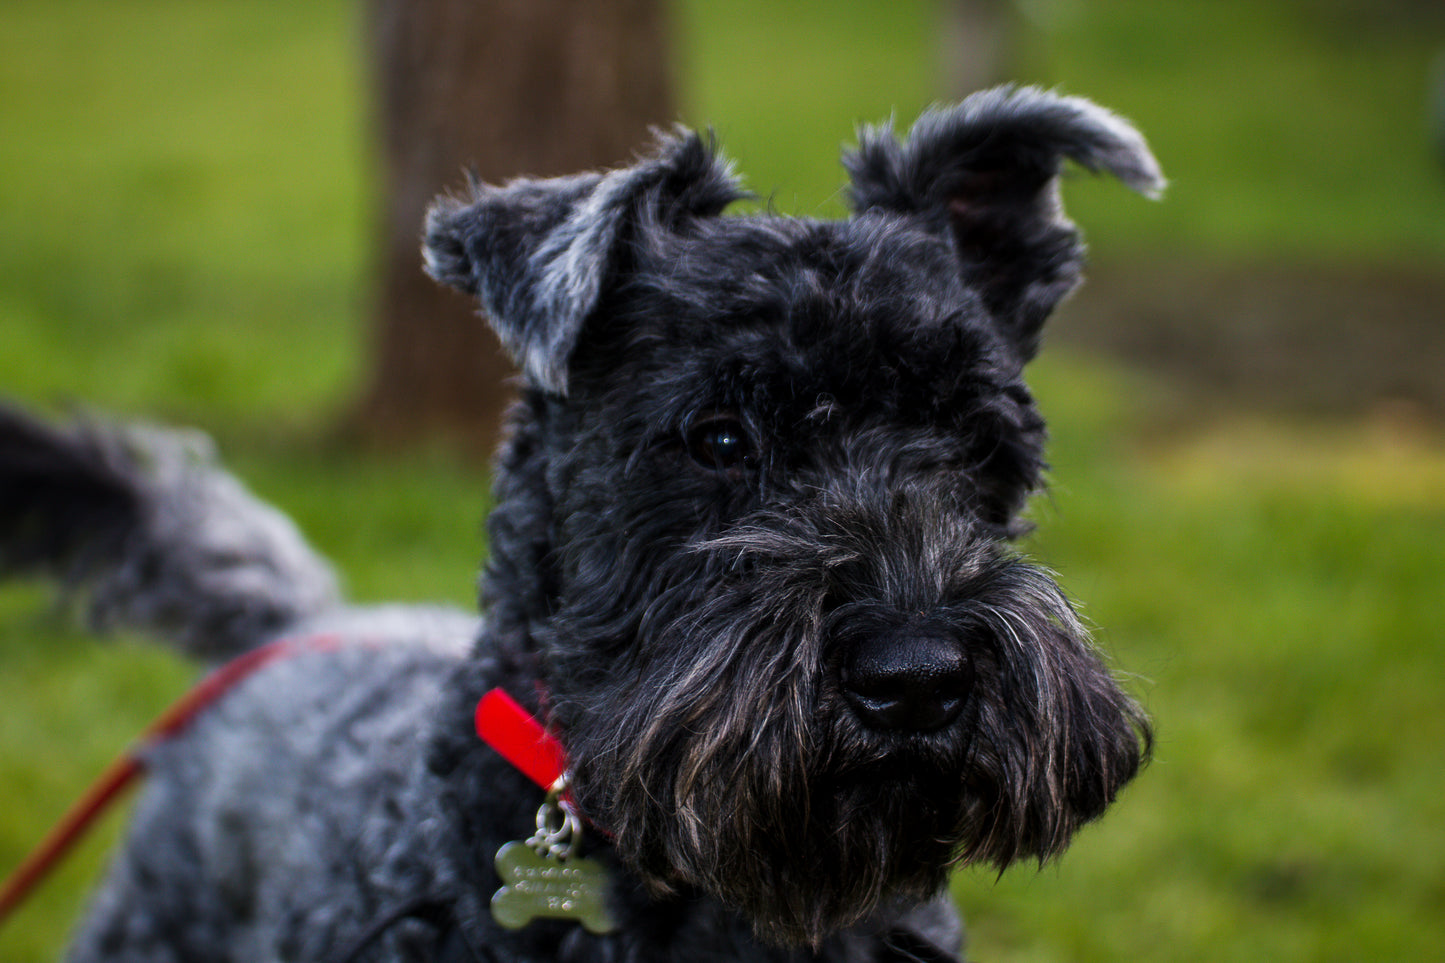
(986, 171)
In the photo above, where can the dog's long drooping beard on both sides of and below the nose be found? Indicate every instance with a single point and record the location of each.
(735, 769)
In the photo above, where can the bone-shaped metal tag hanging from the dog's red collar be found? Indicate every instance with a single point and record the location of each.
(537, 886)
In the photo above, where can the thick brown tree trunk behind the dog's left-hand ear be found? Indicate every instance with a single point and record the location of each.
(502, 87)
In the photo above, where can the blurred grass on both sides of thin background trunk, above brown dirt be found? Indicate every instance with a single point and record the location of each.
(1285, 134)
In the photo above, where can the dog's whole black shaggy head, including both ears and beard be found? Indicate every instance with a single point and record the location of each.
(769, 472)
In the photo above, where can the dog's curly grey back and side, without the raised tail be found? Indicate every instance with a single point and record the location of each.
(271, 826)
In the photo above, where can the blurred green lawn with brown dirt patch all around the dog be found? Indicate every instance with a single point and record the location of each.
(186, 209)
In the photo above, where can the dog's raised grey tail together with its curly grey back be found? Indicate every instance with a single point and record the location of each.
(296, 784)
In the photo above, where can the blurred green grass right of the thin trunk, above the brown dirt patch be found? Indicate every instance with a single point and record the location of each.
(1287, 135)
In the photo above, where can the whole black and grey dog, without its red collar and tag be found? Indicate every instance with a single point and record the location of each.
(749, 563)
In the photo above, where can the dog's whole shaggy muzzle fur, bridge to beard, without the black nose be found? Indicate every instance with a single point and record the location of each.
(722, 758)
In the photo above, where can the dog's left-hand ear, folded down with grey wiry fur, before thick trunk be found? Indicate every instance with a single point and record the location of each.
(541, 254)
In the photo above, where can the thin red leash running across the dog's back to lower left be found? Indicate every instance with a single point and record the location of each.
(126, 769)
